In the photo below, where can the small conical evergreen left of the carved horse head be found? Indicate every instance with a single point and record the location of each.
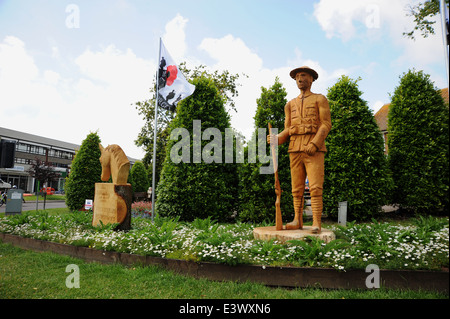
(85, 172)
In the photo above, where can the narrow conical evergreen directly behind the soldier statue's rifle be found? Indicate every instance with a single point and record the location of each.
(257, 192)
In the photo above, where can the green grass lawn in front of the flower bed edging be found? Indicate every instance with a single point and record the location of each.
(33, 275)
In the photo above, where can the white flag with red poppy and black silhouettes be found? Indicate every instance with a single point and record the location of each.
(172, 85)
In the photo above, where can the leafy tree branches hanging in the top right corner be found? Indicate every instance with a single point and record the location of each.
(422, 13)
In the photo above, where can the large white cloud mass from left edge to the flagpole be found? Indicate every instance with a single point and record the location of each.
(69, 108)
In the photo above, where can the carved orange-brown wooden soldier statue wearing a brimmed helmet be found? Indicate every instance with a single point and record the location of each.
(306, 126)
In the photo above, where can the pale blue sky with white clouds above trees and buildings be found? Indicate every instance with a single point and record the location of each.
(69, 68)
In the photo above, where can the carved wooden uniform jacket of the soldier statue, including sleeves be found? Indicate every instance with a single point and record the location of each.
(307, 120)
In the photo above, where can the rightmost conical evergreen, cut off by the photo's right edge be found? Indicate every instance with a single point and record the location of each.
(419, 144)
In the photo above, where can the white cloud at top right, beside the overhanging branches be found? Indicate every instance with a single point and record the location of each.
(370, 19)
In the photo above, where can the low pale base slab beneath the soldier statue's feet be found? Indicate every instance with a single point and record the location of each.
(268, 233)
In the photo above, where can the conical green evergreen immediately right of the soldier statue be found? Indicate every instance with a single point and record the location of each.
(355, 164)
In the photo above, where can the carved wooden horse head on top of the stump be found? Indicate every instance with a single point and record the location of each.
(114, 163)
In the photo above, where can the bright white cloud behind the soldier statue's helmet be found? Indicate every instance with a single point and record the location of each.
(234, 55)
